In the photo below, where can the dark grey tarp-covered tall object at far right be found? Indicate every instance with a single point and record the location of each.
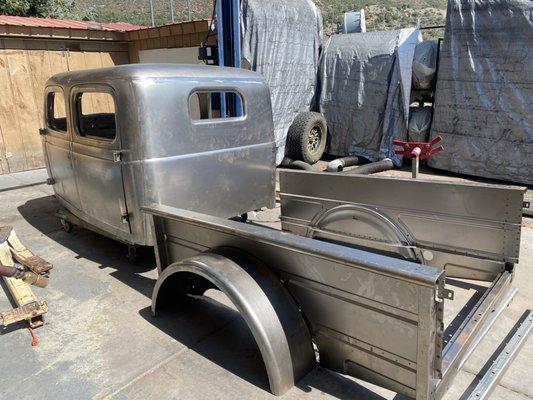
(484, 95)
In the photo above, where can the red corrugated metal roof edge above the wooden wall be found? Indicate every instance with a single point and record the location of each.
(67, 23)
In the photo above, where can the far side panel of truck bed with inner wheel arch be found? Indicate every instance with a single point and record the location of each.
(471, 230)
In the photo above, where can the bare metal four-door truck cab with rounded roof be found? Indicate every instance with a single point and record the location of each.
(118, 138)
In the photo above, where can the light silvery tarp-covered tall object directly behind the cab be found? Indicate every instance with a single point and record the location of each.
(281, 41)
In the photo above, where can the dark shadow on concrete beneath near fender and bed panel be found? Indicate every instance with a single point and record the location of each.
(233, 346)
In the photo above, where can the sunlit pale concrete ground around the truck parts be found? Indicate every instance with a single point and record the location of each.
(100, 340)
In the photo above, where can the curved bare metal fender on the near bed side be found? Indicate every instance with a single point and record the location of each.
(267, 308)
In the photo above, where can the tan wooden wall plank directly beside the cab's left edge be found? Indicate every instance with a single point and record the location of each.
(26, 107)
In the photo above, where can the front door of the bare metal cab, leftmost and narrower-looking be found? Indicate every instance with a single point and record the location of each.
(57, 143)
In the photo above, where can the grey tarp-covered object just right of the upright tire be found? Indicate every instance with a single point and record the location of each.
(365, 88)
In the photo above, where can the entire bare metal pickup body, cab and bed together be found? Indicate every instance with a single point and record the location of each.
(361, 268)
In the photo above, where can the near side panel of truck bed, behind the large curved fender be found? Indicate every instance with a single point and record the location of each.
(370, 315)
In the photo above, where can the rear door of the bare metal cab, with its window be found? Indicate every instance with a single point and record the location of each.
(96, 155)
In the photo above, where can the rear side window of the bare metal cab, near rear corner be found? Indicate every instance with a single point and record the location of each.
(95, 115)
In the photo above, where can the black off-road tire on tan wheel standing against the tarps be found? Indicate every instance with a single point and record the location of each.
(306, 139)
